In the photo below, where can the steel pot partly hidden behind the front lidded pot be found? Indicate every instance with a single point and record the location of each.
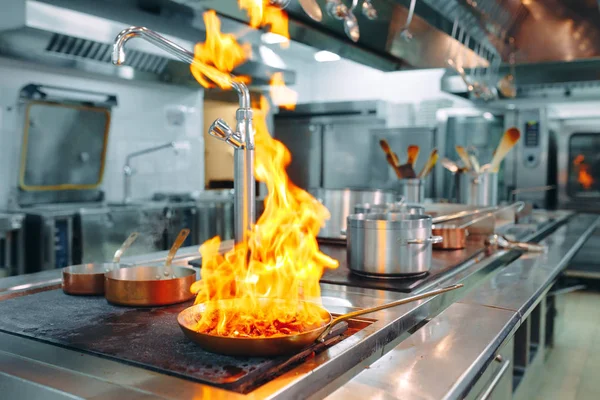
(341, 202)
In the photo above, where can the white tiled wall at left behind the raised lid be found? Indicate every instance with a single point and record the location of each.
(139, 121)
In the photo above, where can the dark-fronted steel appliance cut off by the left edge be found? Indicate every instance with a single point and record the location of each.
(11, 244)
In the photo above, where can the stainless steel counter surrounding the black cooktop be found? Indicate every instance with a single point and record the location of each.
(434, 348)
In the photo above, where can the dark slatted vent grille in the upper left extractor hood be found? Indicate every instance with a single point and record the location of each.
(90, 50)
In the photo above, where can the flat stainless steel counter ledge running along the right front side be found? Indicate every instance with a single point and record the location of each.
(443, 358)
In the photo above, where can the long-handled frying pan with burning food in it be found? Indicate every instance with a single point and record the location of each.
(277, 345)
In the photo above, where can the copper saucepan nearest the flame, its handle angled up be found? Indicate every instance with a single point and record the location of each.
(151, 285)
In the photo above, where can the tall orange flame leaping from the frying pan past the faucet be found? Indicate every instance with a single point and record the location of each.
(281, 257)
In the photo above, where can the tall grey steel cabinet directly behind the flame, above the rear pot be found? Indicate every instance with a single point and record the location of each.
(329, 141)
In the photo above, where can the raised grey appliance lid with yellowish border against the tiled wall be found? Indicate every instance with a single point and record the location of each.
(72, 123)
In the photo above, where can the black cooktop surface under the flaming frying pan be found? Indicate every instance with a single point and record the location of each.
(145, 337)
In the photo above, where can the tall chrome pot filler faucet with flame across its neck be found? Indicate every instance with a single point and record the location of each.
(242, 139)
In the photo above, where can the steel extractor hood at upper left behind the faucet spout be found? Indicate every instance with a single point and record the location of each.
(79, 34)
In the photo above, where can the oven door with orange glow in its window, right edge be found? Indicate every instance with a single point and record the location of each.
(579, 165)
